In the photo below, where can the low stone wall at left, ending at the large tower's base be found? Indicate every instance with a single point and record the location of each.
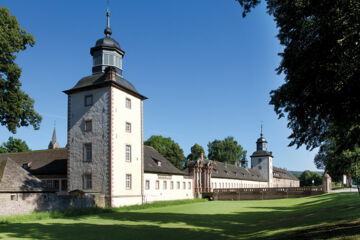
(25, 203)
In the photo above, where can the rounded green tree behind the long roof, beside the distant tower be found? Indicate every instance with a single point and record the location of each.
(227, 150)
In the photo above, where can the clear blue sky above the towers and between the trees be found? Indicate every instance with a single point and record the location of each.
(207, 72)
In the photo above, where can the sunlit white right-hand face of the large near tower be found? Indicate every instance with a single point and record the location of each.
(119, 139)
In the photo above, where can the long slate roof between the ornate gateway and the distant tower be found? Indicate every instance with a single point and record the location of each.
(223, 170)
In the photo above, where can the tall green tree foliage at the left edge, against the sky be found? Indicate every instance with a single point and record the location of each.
(16, 107)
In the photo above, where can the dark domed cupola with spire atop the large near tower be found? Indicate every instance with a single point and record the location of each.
(107, 52)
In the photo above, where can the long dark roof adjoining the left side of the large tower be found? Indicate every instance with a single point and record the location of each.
(42, 162)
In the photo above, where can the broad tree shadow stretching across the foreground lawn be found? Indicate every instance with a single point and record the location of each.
(261, 223)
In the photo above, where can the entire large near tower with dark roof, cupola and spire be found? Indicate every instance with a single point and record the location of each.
(105, 129)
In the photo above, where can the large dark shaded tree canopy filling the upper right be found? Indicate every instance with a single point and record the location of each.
(321, 65)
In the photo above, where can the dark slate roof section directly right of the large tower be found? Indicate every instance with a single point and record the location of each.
(151, 159)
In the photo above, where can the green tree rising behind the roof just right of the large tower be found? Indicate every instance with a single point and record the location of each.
(169, 149)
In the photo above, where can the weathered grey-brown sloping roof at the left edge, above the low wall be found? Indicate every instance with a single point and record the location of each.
(13, 178)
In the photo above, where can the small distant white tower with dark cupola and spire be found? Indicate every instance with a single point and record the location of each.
(262, 160)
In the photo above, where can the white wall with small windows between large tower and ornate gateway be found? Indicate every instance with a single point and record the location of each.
(167, 194)
